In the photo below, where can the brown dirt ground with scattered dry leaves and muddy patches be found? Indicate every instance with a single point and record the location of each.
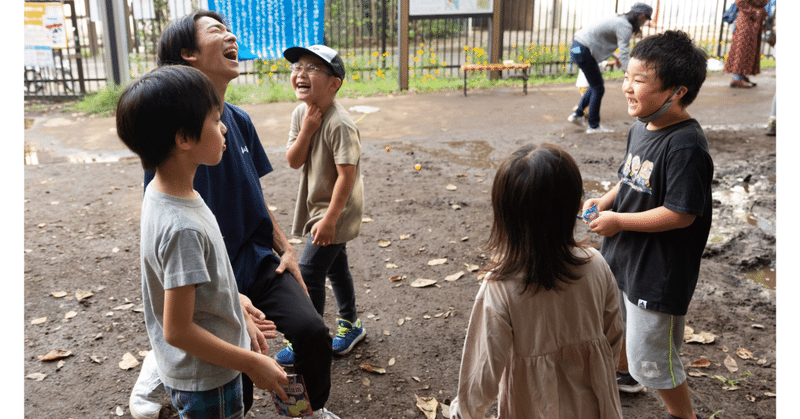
(81, 233)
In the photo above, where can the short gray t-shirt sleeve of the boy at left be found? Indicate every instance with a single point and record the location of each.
(184, 260)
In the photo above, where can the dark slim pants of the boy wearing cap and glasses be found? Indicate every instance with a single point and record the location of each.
(319, 262)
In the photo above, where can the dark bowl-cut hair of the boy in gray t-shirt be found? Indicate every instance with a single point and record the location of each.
(164, 102)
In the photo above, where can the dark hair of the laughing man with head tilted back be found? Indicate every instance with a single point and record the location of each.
(182, 34)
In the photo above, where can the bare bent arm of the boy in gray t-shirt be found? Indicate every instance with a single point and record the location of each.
(182, 332)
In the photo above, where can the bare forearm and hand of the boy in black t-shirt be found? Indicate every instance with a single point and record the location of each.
(654, 220)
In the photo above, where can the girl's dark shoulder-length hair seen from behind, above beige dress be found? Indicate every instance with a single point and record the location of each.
(536, 196)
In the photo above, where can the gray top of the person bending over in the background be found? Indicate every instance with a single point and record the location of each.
(606, 36)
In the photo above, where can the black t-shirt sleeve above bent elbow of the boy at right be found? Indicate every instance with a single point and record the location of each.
(689, 172)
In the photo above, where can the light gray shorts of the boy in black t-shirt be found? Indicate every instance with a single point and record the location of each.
(652, 342)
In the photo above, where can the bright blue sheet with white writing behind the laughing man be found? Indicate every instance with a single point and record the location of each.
(265, 28)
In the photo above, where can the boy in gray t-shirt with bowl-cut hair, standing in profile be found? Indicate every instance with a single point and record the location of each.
(170, 117)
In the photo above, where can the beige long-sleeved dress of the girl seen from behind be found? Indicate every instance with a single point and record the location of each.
(549, 355)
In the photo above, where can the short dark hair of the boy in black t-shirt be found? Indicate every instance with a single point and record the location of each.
(677, 61)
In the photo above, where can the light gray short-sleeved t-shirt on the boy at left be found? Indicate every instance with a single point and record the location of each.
(182, 245)
